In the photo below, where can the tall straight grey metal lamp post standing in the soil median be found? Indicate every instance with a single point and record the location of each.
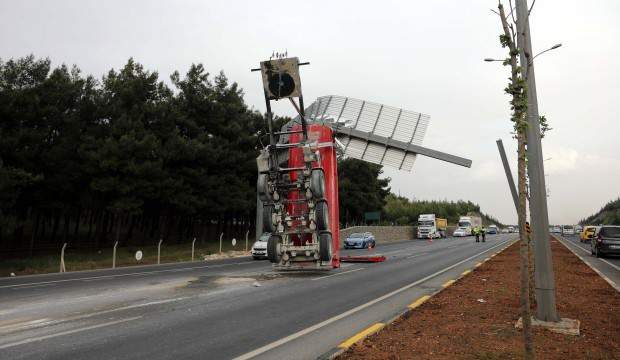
(543, 266)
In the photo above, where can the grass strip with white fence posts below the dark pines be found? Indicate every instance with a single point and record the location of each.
(125, 256)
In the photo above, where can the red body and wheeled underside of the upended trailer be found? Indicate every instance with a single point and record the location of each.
(304, 224)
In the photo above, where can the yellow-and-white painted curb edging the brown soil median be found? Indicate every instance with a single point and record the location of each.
(407, 312)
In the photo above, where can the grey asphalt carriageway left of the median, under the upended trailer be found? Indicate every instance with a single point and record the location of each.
(234, 308)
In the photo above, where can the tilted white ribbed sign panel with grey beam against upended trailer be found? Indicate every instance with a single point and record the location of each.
(376, 133)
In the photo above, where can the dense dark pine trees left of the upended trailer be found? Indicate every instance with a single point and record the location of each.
(125, 157)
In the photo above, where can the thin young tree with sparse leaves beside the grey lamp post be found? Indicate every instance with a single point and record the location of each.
(517, 89)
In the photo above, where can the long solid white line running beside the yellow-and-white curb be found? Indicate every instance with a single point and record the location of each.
(324, 323)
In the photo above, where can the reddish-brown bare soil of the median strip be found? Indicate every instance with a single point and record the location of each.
(454, 324)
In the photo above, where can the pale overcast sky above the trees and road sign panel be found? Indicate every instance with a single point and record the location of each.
(424, 56)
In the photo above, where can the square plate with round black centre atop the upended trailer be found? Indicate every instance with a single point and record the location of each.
(281, 78)
